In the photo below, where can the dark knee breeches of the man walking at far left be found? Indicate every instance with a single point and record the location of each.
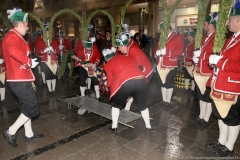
(27, 98)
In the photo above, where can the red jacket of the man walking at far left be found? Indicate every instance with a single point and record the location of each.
(16, 56)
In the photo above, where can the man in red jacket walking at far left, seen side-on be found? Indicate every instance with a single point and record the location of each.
(19, 76)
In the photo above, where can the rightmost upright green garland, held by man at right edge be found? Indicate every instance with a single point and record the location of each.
(219, 40)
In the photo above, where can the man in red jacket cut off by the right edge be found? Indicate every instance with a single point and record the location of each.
(225, 88)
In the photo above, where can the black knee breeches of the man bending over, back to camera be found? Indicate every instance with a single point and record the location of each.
(134, 88)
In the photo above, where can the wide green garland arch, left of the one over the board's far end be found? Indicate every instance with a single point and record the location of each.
(61, 12)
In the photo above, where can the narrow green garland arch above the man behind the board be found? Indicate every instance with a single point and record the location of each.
(110, 18)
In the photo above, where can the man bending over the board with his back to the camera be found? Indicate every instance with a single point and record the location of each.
(125, 79)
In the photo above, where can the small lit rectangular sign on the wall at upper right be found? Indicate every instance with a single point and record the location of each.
(186, 20)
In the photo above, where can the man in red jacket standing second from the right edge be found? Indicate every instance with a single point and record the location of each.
(203, 71)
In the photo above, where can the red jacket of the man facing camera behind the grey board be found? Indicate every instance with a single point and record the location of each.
(94, 56)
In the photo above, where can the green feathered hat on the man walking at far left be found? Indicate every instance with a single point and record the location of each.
(16, 15)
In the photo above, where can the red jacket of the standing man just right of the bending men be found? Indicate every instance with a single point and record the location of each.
(174, 48)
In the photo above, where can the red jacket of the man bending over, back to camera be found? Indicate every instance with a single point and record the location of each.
(119, 70)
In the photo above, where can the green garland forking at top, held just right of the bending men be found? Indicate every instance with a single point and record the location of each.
(166, 22)
